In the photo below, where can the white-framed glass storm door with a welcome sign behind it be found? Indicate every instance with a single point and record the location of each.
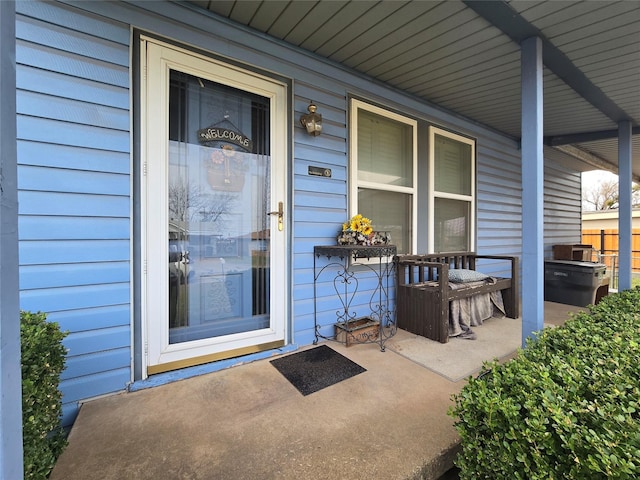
(213, 209)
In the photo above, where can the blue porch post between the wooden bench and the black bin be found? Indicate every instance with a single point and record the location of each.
(532, 189)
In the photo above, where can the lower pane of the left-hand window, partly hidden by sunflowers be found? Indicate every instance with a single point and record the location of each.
(388, 212)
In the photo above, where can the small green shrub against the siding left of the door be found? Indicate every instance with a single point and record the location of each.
(43, 357)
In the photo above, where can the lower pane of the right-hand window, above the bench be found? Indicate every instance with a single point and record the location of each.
(452, 225)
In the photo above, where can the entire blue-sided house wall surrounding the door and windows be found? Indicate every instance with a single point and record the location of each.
(76, 161)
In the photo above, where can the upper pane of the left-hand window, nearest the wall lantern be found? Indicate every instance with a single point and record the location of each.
(385, 150)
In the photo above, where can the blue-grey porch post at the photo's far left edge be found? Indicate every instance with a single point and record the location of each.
(10, 374)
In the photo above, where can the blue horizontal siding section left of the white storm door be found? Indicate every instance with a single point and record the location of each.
(74, 145)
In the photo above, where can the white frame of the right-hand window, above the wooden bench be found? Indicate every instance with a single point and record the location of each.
(434, 194)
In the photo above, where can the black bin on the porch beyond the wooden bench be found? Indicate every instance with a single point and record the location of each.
(572, 282)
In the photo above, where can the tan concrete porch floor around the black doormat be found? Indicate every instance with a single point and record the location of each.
(249, 422)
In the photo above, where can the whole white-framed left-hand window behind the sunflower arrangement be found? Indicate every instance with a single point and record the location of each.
(383, 171)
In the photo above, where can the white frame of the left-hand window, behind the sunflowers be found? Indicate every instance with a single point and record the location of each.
(354, 183)
